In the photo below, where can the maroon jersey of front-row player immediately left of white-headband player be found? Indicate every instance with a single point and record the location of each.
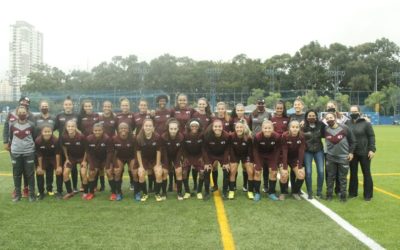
(172, 148)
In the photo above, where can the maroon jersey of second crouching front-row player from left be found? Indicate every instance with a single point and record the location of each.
(75, 146)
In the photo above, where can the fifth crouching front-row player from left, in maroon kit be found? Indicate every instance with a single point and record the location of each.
(148, 154)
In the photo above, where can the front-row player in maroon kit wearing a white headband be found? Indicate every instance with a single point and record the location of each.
(192, 153)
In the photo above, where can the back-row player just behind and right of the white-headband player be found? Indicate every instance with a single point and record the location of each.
(204, 116)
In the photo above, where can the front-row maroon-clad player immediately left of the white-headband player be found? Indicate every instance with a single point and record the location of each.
(172, 142)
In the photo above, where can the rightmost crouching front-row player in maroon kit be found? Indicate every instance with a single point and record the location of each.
(293, 147)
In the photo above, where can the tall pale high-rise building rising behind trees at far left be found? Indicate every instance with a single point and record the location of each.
(25, 52)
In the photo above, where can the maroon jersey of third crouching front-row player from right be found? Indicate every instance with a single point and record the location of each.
(241, 149)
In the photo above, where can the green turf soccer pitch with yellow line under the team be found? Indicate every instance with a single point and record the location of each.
(212, 224)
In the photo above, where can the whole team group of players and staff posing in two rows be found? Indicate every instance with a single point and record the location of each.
(172, 142)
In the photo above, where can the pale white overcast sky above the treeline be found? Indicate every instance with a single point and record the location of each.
(82, 33)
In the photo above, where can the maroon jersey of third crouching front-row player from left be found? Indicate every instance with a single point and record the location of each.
(99, 149)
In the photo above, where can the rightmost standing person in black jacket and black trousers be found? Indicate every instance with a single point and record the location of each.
(363, 153)
